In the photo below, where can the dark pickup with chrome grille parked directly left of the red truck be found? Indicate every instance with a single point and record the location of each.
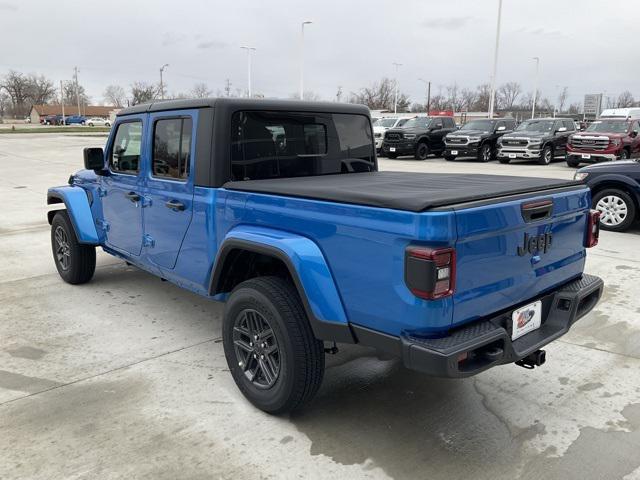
(541, 139)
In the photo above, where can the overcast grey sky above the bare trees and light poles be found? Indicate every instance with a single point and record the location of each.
(587, 45)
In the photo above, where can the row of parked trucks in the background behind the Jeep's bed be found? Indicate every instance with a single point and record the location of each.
(610, 137)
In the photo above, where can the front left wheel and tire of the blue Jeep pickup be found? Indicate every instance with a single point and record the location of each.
(75, 262)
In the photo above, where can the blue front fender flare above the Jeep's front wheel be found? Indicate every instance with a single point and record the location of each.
(76, 203)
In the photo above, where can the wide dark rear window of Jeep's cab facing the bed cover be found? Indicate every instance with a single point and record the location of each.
(295, 144)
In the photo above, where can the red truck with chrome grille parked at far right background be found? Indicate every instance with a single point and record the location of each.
(605, 139)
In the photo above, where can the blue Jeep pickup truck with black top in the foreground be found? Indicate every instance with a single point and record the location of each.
(278, 209)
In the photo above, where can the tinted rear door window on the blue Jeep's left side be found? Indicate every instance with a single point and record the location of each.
(171, 148)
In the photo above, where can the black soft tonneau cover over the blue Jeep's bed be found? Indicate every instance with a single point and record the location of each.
(414, 192)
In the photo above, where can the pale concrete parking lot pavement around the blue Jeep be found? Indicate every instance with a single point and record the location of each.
(125, 376)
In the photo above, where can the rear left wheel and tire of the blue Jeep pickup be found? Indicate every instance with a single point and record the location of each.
(272, 304)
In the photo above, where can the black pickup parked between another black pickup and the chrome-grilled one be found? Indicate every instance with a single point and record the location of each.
(477, 139)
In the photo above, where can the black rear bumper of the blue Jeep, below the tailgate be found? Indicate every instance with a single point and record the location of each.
(486, 343)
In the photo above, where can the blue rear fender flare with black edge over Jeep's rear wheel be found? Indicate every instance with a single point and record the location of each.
(255, 251)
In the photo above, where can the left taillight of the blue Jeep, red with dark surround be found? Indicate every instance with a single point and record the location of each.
(430, 273)
